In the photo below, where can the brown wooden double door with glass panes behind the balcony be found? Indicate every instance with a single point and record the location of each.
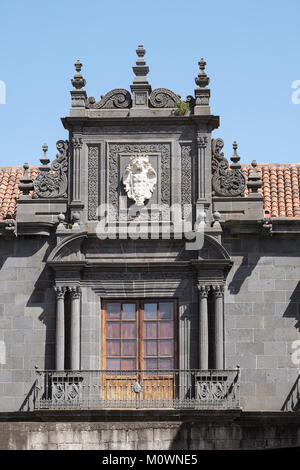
(139, 349)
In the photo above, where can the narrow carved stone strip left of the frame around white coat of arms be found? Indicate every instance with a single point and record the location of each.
(93, 175)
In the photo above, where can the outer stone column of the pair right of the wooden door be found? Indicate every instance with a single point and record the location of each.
(218, 326)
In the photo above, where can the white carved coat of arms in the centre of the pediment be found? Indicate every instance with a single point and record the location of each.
(139, 179)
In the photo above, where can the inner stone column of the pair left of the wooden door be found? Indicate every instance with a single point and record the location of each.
(75, 327)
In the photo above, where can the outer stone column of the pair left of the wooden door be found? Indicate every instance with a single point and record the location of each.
(60, 328)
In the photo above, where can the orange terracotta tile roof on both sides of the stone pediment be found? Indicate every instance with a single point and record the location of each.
(280, 188)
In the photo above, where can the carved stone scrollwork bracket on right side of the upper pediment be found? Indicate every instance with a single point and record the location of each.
(225, 181)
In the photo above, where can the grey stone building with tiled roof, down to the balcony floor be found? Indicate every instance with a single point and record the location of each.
(142, 269)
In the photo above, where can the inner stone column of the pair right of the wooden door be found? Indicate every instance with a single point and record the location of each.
(203, 327)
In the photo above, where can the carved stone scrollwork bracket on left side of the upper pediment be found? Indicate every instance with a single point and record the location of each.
(54, 184)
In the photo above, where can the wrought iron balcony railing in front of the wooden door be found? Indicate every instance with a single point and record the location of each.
(99, 389)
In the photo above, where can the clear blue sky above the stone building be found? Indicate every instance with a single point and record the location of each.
(252, 50)
